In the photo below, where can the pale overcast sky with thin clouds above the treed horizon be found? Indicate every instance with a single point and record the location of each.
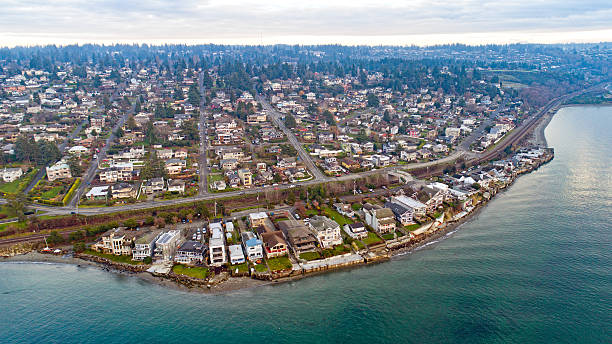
(420, 22)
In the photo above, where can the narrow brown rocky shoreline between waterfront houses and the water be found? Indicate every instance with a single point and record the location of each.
(225, 283)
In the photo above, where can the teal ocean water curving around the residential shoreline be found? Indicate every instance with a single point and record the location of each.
(535, 266)
